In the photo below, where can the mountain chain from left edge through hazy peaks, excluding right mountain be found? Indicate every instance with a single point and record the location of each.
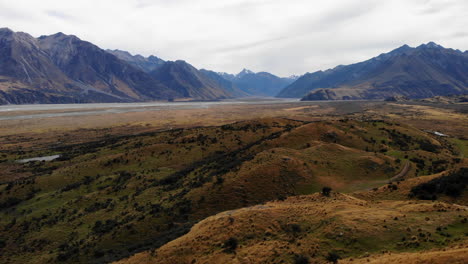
(62, 68)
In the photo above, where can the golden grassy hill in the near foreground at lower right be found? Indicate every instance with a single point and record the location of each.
(317, 229)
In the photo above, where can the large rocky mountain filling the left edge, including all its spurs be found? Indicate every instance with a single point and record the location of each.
(64, 69)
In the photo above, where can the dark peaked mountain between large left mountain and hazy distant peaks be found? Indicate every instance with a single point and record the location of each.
(189, 82)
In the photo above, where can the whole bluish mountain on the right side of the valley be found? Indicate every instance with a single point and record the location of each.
(425, 71)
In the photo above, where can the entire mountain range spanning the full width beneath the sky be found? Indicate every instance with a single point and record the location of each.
(62, 68)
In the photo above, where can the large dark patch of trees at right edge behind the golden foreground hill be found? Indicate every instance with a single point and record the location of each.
(453, 185)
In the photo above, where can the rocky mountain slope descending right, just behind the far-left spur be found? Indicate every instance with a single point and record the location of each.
(98, 70)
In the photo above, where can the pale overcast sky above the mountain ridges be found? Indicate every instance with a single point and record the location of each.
(283, 37)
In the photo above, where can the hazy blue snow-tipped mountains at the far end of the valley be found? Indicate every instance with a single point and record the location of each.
(258, 84)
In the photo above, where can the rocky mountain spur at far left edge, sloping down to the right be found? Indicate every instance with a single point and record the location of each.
(28, 75)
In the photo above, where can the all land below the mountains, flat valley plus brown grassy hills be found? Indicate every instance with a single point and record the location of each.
(235, 182)
